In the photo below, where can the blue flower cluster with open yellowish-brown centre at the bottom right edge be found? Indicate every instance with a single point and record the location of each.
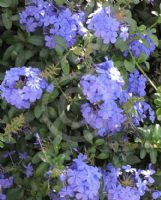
(126, 182)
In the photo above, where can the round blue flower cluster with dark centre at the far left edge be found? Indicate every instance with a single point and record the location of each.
(22, 86)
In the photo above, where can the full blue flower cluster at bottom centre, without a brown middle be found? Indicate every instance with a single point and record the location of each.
(81, 181)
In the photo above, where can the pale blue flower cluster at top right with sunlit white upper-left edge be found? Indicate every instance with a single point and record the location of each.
(106, 26)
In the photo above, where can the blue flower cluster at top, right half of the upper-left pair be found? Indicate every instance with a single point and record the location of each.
(66, 25)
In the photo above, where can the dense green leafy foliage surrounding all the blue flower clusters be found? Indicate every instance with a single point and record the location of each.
(52, 131)
